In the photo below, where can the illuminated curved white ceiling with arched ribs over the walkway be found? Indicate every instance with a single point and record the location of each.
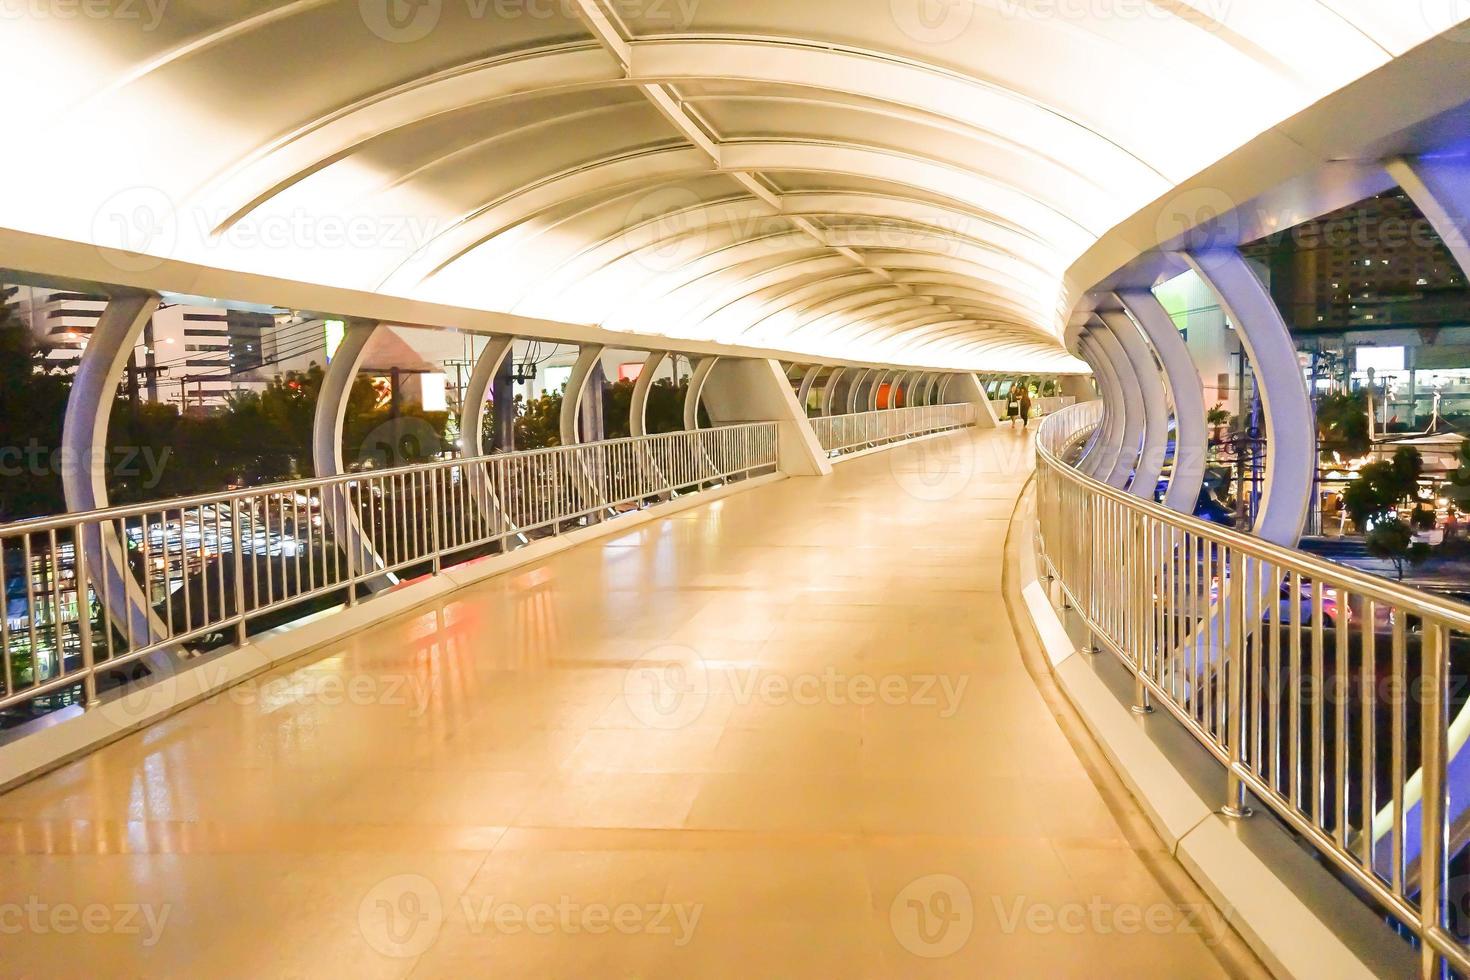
(897, 181)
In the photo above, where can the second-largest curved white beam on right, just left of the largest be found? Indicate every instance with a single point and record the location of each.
(1187, 393)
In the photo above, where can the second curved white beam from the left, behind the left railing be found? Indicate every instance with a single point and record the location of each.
(327, 449)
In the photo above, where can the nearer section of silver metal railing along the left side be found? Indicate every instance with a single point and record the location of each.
(201, 572)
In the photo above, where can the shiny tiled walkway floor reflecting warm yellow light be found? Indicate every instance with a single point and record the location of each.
(783, 735)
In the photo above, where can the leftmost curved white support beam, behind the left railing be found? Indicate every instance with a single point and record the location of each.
(85, 462)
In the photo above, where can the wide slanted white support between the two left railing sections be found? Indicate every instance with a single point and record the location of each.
(758, 392)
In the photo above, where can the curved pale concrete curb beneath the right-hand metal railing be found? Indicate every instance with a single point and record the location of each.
(1293, 915)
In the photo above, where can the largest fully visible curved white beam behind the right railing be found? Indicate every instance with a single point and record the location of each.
(1291, 440)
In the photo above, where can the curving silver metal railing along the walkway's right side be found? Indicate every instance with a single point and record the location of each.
(1334, 697)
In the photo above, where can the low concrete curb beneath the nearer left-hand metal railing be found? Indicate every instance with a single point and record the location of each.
(67, 735)
